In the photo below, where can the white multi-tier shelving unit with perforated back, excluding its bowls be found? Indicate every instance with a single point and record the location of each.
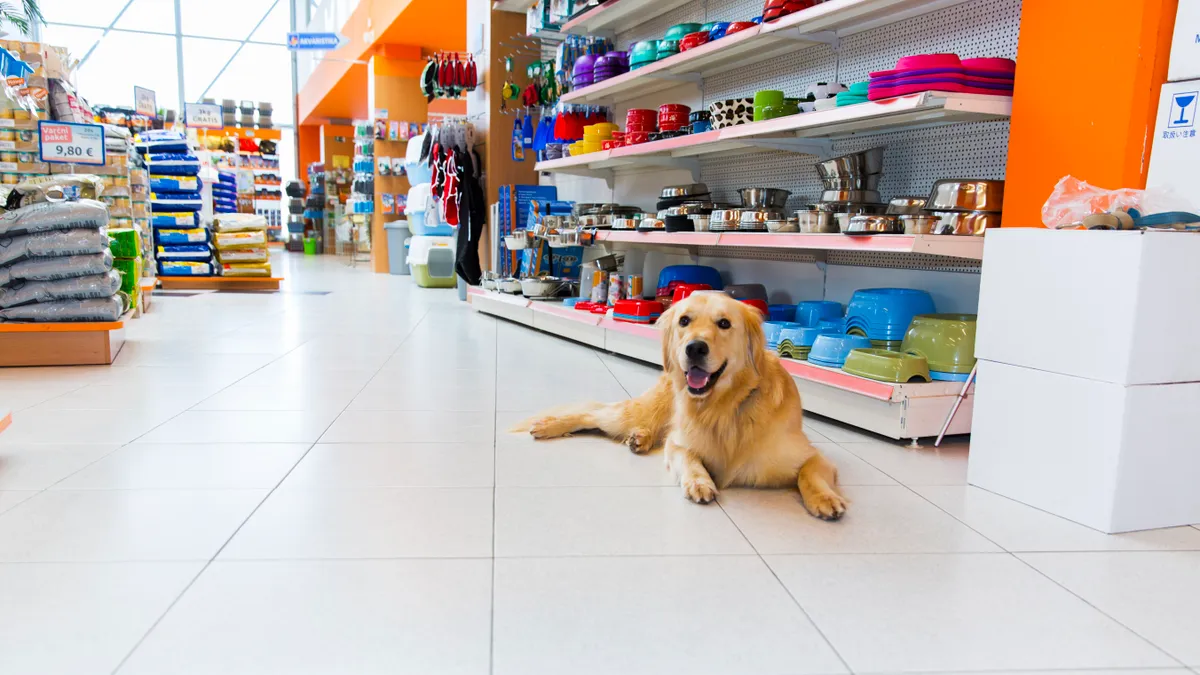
(927, 136)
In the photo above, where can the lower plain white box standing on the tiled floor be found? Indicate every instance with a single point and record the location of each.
(1113, 458)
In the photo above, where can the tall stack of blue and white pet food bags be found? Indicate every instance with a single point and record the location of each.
(182, 246)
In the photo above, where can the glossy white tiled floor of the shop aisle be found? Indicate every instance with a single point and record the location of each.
(321, 481)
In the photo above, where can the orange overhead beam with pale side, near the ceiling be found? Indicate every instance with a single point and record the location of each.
(338, 87)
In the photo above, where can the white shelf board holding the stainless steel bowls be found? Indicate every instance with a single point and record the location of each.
(970, 248)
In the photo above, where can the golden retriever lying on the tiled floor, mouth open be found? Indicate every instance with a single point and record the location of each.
(725, 410)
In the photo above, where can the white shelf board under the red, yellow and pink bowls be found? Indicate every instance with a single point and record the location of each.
(807, 133)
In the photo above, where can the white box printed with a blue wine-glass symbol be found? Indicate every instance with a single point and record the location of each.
(1177, 144)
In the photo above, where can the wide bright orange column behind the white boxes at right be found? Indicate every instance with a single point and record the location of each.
(1089, 75)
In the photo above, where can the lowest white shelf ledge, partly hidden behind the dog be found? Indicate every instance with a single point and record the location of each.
(897, 410)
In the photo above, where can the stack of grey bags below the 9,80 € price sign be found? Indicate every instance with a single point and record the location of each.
(56, 262)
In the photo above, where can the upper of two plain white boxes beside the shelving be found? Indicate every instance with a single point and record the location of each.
(1115, 307)
